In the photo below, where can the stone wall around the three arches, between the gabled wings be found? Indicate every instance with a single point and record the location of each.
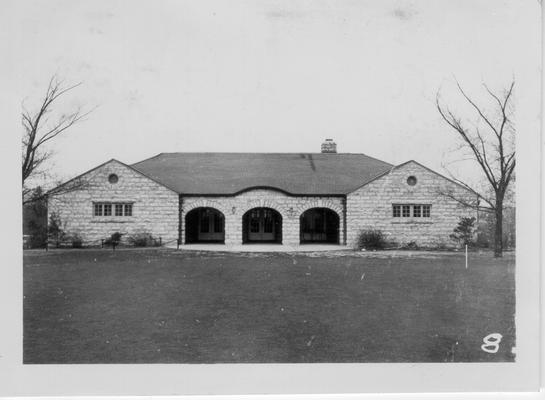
(290, 207)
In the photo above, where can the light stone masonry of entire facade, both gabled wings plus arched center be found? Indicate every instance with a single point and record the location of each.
(161, 212)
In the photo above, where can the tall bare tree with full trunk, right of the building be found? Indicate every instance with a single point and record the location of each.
(489, 140)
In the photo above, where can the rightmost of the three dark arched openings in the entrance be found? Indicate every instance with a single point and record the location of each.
(319, 225)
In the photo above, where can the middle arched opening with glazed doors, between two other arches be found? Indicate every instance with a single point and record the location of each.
(262, 225)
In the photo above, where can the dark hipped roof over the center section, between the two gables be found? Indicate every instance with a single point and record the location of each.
(292, 173)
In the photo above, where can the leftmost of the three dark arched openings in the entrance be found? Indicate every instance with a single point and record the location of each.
(204, 225)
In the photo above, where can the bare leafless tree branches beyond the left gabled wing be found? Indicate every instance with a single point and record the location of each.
(39, 131)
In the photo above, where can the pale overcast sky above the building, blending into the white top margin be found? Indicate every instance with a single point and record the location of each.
(268, 76)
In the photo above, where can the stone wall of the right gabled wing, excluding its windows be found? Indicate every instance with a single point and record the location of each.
(370, 207)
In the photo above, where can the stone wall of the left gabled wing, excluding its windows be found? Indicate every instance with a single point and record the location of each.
(155, 208)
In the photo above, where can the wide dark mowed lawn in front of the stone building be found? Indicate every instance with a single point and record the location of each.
(164, 306)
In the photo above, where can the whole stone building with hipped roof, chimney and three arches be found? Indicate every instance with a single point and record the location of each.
(239, 198)
